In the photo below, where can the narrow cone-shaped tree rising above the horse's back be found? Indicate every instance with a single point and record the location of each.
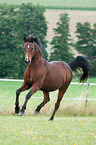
(60, 43)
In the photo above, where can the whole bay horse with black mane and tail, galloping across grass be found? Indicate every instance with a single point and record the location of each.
(46, 76)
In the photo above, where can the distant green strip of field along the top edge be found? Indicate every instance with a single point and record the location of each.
(75, 4)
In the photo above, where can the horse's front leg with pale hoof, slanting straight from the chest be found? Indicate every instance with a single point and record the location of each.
(35, 87)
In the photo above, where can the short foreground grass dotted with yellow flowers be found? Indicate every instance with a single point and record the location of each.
(39, 131)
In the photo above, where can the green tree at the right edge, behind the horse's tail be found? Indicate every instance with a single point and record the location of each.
(86, 43)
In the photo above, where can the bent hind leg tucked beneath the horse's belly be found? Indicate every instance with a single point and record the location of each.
(46, 99)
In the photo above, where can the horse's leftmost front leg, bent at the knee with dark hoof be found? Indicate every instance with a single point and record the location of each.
(23, 88)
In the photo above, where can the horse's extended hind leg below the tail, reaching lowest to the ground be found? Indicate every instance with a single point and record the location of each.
(62, 90)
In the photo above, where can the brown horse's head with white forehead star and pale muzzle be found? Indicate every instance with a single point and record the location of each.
(28, 50)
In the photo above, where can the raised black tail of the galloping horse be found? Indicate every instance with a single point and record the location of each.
(80, 62)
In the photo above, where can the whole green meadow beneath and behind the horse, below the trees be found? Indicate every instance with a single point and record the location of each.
(73, 125)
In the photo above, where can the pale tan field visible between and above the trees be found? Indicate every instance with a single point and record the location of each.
(52, 17)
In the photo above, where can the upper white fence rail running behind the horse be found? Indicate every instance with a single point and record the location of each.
(73, 83)
